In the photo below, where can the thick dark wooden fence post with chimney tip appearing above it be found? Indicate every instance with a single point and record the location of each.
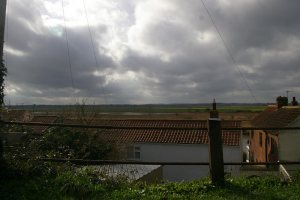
(216, 163)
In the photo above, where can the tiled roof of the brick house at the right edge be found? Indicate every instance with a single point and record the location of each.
(276, 117)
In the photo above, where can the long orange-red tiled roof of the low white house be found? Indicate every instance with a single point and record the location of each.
(231, 138)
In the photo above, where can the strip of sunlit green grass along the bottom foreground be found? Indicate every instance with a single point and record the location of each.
(68, 184)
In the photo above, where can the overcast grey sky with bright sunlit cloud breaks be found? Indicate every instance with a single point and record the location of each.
(151, 51)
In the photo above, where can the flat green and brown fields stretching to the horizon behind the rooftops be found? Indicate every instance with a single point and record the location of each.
(150, 111)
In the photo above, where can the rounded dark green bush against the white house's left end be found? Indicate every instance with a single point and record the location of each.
(67, 143)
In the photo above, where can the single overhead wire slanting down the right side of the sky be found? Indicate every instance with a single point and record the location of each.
(229, 52)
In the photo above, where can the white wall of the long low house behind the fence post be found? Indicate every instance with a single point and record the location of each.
(187, 153)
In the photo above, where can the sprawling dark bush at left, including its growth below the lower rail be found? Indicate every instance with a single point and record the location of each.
(24, 160)
